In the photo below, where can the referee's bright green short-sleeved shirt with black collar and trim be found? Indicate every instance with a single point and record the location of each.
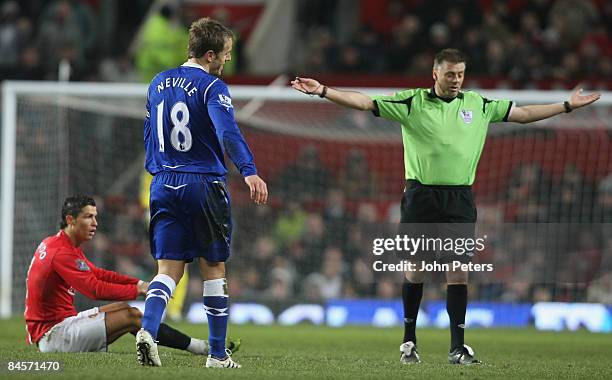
(443, 139)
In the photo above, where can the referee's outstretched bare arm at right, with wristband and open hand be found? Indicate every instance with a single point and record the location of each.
(527, 114)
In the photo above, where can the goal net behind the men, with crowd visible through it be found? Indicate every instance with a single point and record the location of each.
(335, 178)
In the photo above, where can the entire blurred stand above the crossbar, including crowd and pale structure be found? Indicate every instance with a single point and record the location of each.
(510, 44)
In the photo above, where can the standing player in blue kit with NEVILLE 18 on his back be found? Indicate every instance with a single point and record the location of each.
(189, 125)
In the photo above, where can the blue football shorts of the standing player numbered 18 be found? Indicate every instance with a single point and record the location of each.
(190, 217)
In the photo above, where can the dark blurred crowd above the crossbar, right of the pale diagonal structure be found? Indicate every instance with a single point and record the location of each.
(518, 40)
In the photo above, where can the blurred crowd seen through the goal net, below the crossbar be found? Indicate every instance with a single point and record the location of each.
(318, 247)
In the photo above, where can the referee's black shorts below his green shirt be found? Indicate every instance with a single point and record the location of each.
(439, 212)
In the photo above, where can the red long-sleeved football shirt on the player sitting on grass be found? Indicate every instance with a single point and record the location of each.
(58, 270)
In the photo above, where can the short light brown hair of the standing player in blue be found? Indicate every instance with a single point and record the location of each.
(207, 34)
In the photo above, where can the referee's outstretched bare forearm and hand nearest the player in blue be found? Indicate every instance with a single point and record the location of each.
(352, 99)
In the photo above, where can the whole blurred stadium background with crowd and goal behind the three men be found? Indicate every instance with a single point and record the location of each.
(335, 176)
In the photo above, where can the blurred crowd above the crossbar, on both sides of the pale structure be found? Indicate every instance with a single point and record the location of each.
(516, 40)
